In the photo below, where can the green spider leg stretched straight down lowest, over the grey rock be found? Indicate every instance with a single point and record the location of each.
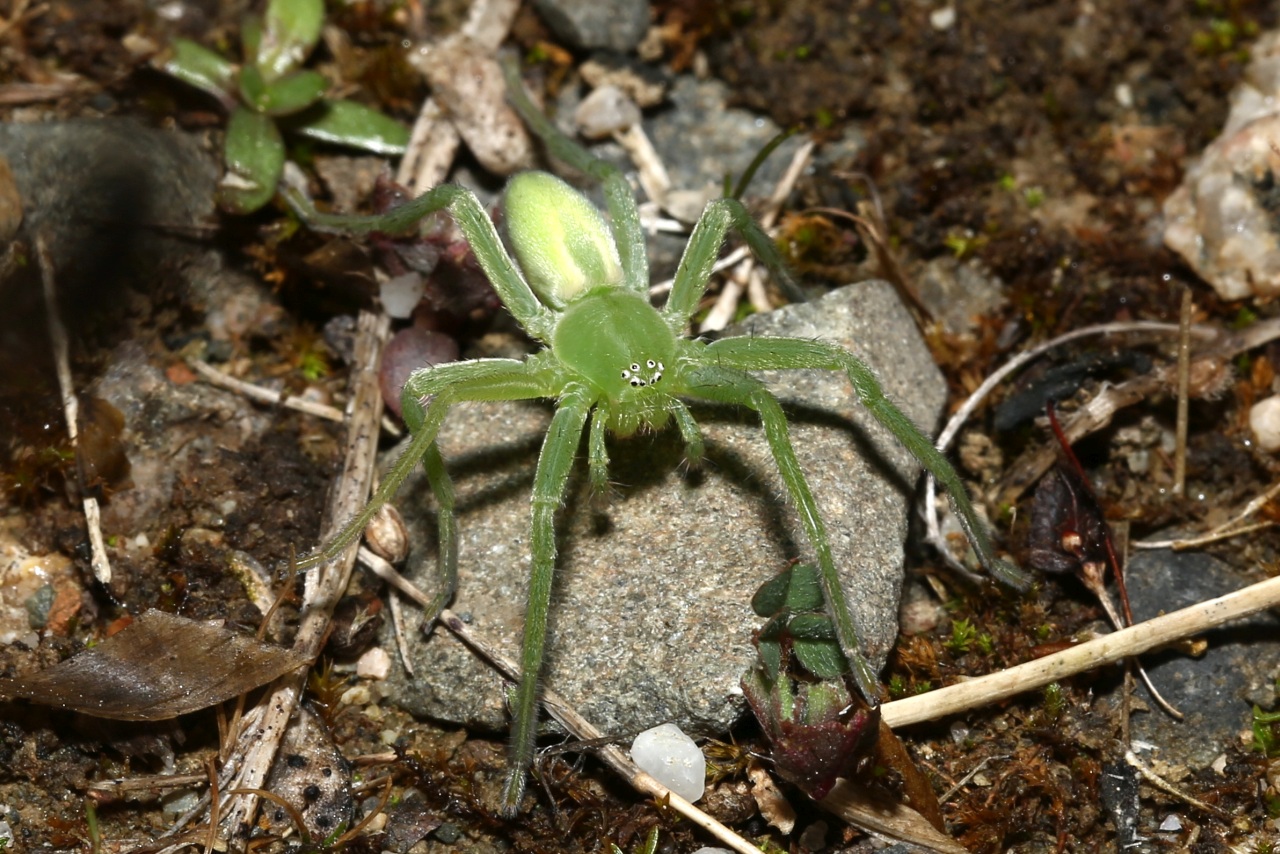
(560, 447)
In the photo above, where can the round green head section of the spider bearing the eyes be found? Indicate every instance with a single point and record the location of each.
(618, 342)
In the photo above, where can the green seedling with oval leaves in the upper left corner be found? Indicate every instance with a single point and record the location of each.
(272, 93)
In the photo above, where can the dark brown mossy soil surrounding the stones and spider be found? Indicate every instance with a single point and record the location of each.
(1034, 141)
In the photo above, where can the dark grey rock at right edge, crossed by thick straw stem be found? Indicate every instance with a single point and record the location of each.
(1215, 691)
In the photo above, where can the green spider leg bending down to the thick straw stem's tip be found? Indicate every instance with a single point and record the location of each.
(726, 386)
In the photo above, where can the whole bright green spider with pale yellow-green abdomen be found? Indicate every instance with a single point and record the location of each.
(579, 286)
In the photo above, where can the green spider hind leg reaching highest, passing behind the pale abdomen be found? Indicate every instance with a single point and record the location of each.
(619, 197)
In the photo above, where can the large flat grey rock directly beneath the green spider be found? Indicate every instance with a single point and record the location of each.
(652, 615)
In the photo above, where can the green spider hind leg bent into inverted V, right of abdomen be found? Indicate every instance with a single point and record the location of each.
(703, 250)
